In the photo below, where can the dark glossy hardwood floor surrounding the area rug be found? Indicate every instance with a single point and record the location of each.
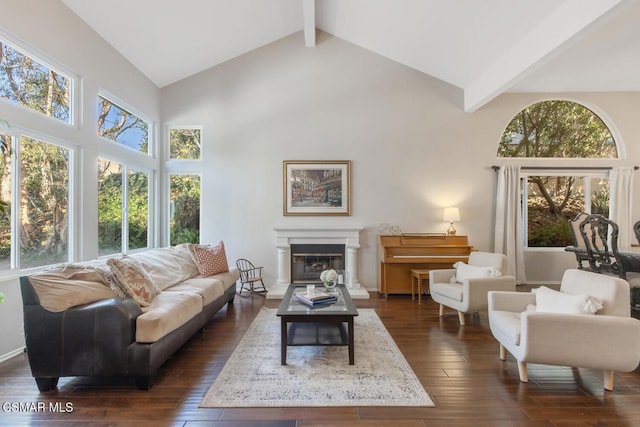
(458, 366)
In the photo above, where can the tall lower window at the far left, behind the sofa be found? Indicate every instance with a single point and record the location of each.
(37, 233)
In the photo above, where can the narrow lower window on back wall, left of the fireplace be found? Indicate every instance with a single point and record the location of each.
(184, 214)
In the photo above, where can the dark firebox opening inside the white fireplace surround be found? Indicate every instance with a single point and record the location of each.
(309, 260)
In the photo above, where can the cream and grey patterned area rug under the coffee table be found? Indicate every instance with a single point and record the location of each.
(316, 376)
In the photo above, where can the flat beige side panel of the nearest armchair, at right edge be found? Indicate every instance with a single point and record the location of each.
(598, 341)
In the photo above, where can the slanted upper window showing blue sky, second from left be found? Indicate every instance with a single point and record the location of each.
(120, 125)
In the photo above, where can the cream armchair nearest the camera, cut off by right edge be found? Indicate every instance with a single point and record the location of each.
(608, 340)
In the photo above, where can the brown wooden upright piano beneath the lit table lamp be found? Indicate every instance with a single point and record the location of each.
(398, 255)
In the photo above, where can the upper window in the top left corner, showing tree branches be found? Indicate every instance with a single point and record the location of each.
(31, 83)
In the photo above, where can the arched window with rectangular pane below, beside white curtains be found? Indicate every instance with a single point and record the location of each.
(559, 129)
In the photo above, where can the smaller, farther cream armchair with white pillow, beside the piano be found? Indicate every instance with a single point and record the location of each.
(465, 288)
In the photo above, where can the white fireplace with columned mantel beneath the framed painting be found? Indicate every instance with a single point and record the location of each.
(323, 241)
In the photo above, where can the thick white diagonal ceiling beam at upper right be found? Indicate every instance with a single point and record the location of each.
(569, 19)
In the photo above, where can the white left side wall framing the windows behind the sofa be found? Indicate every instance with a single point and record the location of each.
(53, 32)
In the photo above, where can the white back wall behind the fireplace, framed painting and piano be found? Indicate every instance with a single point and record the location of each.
(414, 150)
